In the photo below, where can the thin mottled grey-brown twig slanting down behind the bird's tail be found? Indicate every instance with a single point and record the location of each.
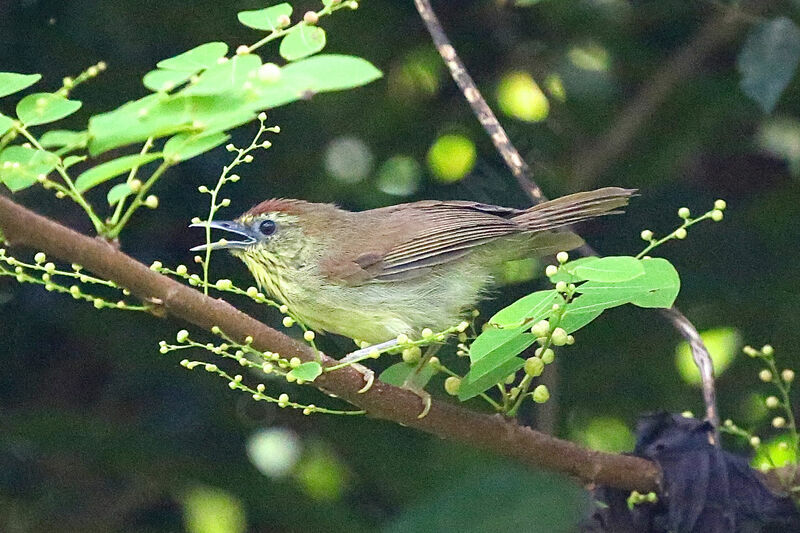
(524, 177)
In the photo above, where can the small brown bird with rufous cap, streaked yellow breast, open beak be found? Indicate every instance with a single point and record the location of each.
(373, 275)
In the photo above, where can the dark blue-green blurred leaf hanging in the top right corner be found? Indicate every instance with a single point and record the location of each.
(768, 60)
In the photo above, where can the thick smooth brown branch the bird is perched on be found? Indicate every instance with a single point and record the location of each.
(490, 432)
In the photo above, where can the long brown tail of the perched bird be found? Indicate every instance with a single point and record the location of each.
(574, 208)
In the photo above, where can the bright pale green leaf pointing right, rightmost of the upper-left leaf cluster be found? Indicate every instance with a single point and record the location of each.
(332, 72)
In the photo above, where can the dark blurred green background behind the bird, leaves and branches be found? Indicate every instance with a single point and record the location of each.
(99, 432)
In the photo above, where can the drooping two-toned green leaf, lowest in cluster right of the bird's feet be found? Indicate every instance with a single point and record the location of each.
(492, 357)
